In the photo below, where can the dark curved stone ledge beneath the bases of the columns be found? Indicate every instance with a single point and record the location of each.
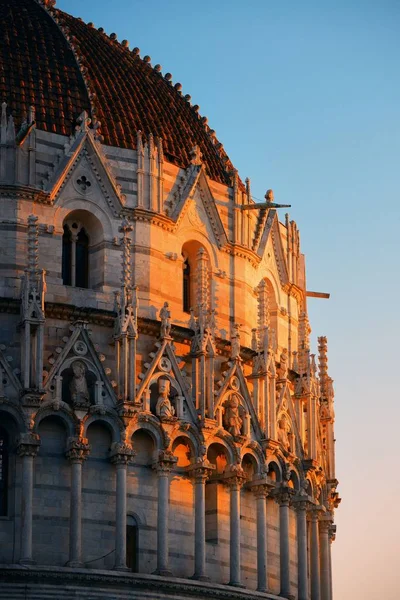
(35, 583)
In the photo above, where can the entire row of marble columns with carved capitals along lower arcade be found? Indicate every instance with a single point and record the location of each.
(321, 529)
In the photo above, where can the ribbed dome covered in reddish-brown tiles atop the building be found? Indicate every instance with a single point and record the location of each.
(62, 66)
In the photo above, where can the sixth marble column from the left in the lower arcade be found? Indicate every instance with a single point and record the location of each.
(235, 482)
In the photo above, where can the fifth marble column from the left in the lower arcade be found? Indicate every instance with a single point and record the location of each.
(200, 473)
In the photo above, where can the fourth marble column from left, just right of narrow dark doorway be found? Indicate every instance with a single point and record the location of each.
(163, 467)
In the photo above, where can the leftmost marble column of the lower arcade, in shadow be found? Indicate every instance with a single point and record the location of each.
(27, 449)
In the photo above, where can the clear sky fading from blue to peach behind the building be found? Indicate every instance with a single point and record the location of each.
(305, 97)
